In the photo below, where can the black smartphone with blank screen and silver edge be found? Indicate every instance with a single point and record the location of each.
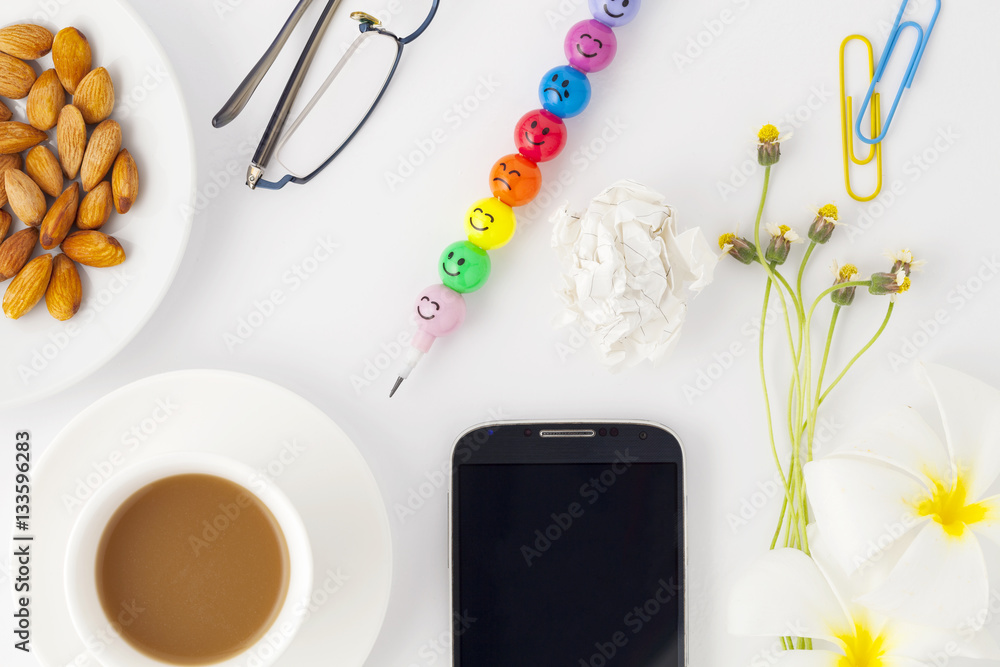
(568, 546)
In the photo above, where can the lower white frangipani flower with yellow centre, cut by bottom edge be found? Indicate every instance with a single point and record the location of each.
(788, 594)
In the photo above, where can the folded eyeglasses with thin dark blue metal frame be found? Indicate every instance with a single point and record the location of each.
(339, 109)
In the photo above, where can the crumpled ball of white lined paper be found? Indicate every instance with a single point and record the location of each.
(624, 270)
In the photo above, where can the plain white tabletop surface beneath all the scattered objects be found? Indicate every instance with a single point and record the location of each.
(681, 126)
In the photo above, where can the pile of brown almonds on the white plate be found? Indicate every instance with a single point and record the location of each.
(27, 182)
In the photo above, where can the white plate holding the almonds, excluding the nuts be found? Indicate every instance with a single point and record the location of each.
(42, 356)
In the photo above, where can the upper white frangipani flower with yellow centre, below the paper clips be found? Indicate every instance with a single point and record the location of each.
(899, 496)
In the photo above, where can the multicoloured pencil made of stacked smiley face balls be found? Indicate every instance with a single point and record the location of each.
(516, 179)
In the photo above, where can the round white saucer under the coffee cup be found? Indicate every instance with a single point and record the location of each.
(261, 425)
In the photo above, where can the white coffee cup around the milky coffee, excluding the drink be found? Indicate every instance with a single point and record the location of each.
(101, 634)
